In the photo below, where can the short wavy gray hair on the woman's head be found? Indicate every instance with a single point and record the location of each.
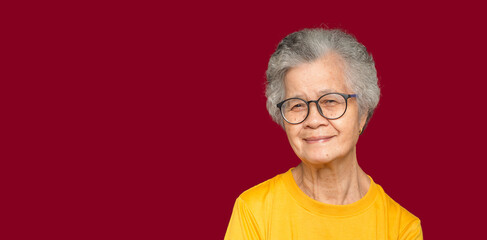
(308, 45)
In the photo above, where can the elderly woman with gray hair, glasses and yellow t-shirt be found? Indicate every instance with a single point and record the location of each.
(322, 89)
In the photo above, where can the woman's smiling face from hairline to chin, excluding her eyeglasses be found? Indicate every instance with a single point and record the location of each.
(317, 140)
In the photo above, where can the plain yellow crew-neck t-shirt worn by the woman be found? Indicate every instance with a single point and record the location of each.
(278, 209)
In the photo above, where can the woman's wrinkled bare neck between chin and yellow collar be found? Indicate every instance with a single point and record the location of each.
(339, 182)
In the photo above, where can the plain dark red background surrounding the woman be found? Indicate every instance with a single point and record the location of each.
(146, 120)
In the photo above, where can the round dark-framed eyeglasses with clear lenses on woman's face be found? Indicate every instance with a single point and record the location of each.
(330, 106)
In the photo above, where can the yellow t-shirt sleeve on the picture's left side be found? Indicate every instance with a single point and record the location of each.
(243, 224)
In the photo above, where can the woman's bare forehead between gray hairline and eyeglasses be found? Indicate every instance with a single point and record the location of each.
(311, 80)
